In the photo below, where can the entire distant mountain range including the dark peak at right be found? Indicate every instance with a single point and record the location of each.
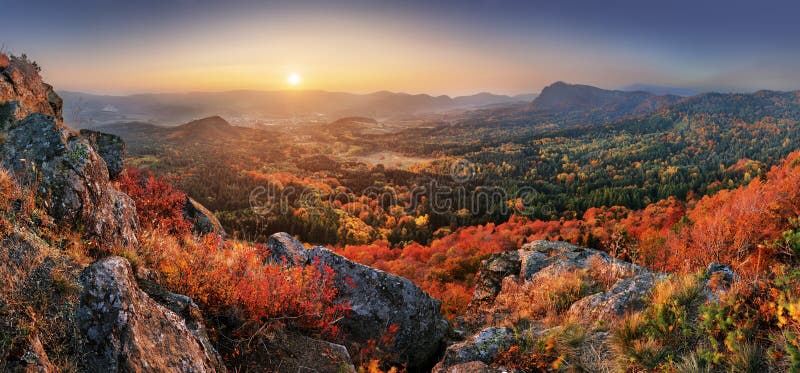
(558, 103)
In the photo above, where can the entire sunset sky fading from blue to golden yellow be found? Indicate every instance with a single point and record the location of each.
(436, 47)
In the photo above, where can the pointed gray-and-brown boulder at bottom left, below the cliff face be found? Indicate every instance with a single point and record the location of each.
(125, 330)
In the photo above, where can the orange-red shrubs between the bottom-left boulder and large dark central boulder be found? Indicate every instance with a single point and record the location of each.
(222, 275)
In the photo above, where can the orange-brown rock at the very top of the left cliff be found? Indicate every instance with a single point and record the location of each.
(21, 84)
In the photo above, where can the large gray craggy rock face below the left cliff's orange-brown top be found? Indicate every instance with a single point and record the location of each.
(72, 180)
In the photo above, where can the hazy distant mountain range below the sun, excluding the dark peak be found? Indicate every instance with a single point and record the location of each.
(269, 107)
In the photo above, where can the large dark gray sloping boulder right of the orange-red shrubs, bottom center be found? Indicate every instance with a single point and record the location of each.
(378, 300)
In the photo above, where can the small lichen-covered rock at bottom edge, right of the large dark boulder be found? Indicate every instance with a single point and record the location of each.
(482, 347)
